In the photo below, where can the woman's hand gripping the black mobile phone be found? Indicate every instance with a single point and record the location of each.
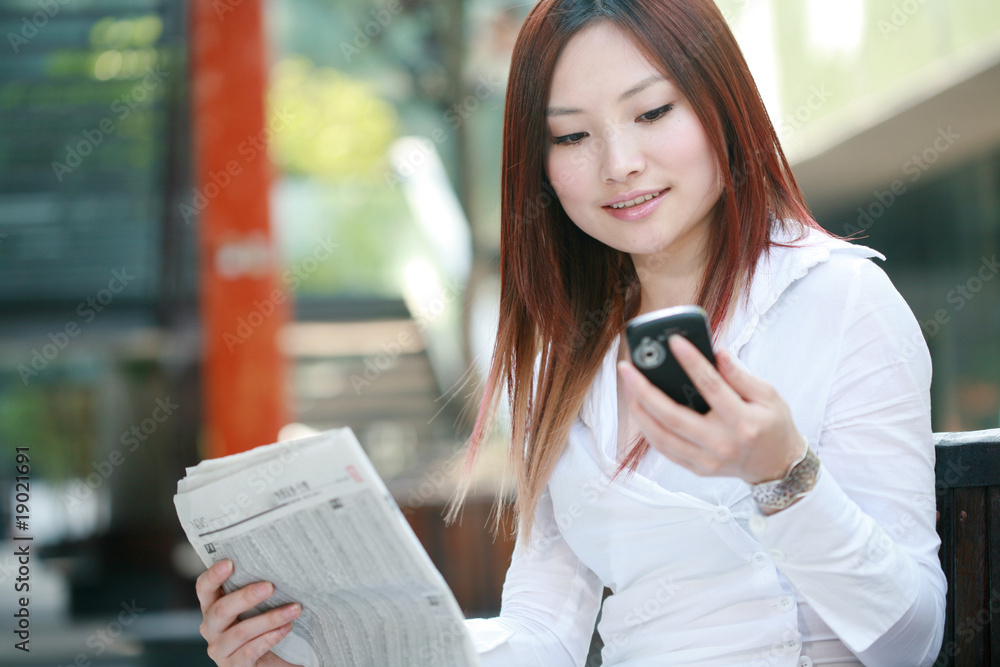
(748, 433)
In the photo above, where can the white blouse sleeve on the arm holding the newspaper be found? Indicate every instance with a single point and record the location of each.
(550, 602)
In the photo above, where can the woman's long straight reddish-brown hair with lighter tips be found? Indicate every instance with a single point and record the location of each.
(564, 295)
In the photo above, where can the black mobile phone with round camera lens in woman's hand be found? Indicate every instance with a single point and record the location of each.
(647, 340)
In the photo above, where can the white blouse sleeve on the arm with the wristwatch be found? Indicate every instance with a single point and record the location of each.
(862, 547)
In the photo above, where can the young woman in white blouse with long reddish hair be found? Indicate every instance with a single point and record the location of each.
(792, 524)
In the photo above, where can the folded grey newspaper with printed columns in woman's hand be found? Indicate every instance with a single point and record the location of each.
(312, 516)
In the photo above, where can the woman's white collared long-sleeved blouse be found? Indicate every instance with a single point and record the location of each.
(699, 576)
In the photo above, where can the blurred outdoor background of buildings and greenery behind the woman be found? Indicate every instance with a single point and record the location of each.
(224, 220)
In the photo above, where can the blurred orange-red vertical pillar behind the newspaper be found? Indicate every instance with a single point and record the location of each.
(243, 304)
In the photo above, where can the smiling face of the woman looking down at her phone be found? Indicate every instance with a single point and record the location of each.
(621, 133)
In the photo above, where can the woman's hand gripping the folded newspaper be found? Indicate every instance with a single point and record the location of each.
(247, 643)
